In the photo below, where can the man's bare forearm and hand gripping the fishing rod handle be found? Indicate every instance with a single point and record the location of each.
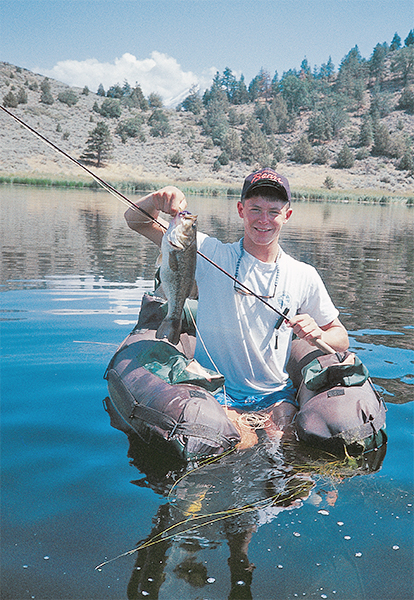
(334, 334)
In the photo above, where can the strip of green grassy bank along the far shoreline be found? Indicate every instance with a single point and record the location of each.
(218, 190)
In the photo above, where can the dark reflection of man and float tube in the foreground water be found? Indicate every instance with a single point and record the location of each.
(227, 501)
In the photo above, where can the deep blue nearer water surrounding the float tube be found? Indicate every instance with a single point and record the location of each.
(71, 499)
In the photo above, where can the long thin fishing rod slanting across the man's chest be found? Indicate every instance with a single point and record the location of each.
(109, 188)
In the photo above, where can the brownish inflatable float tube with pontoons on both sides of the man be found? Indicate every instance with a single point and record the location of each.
(157, 391)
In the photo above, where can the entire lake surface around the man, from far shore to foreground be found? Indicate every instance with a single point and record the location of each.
(286, 525)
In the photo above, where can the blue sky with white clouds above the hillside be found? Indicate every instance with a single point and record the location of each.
(168, 46)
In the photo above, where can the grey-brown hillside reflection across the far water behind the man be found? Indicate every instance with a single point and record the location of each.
(366, 258)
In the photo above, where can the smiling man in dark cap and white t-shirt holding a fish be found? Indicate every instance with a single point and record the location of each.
(239, 335)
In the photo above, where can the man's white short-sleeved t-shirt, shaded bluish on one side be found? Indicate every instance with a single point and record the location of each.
(239, 330)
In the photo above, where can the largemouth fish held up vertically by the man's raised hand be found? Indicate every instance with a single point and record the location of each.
(177, 271)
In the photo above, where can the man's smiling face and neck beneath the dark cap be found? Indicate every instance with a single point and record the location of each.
(263, 220)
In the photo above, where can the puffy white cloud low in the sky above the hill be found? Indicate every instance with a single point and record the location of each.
(160, 74)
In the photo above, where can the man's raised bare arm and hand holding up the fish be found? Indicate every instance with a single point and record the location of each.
(169, 200)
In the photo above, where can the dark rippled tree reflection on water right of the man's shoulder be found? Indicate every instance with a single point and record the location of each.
(371, 280)
